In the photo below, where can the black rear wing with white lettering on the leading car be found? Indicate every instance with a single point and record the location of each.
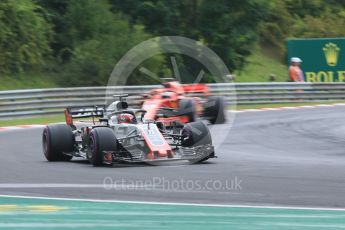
(83, 112)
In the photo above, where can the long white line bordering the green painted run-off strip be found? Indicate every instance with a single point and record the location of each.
(177, 203)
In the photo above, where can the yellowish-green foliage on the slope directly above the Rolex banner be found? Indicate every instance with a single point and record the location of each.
(301, 19)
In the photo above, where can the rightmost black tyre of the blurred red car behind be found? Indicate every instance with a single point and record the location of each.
(215, 110)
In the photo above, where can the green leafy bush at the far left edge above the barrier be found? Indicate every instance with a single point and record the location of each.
(25, 36)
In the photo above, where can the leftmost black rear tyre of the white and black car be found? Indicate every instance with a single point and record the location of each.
(58, 140)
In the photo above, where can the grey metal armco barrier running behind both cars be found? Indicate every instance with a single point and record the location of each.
(20, 103)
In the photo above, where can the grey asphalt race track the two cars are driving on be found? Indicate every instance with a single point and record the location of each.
(293, 158)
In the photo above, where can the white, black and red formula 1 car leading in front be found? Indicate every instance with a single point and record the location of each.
(122, 135)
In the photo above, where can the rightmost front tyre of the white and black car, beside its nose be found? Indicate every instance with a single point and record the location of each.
(195, 134)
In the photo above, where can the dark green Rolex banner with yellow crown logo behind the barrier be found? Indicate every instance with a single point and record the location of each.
(323, 59)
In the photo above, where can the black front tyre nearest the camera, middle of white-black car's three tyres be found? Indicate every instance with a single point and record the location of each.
(101, 139)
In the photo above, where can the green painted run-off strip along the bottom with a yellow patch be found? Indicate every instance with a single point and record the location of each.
(23, 213)
